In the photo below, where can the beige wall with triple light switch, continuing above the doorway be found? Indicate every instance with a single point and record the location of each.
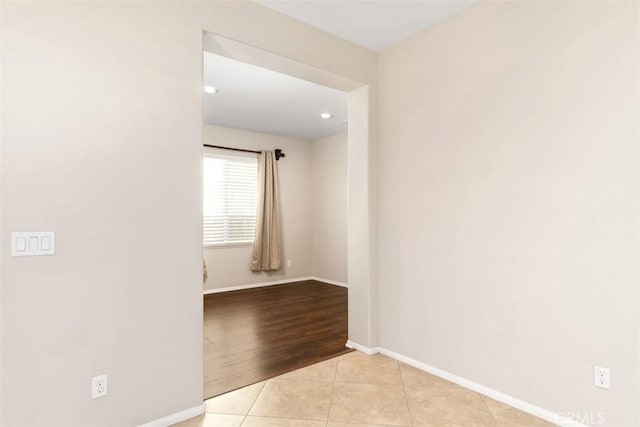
(102, 142)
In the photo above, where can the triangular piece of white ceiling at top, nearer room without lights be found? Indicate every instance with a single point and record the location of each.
(371, 24)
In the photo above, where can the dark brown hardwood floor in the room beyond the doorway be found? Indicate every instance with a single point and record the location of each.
(255, 334)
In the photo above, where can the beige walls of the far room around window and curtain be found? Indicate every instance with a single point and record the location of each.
(231, 266)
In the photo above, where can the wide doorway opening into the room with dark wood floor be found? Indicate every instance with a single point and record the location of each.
(259, 325)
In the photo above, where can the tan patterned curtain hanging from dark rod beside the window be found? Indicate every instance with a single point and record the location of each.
(267, 245)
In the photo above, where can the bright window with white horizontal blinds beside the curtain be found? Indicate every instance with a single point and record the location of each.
(229, 199)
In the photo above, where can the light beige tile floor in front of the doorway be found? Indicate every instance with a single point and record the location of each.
(356, 390)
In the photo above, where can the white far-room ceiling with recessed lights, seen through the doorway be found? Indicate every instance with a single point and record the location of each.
(261, 100)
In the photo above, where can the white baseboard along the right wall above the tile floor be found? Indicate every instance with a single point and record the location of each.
(529, 408)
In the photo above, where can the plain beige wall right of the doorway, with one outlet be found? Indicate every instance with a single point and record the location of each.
(508, 184)
